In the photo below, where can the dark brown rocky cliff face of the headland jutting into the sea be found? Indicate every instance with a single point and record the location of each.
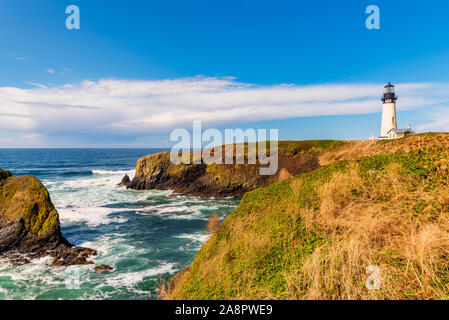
(156, 171)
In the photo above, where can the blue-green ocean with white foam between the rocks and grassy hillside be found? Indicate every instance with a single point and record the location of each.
(146, 236)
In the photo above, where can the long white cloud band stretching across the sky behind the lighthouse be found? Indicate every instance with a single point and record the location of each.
(127, 107)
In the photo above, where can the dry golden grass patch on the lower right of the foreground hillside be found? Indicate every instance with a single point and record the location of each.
(368, 230)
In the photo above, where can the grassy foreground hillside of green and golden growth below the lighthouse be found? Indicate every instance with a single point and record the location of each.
(312, 236)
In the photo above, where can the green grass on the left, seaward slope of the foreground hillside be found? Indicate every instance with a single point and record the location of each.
(278, 244)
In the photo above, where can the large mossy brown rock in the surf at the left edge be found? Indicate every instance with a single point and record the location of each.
(29, 224)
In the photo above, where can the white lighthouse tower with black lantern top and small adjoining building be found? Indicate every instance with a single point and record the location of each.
(389, 128)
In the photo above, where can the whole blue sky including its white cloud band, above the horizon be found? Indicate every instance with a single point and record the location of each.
(138, 69)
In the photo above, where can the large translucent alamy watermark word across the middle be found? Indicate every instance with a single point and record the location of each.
(260, 149)
